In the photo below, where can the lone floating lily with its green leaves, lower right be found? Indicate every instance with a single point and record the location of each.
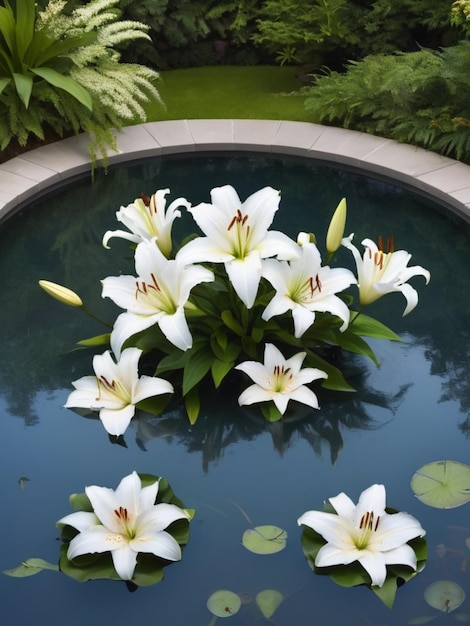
(364, 544)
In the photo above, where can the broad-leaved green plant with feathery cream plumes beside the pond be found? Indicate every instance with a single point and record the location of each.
(65, 73)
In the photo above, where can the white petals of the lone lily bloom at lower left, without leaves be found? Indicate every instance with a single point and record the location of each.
(125, 521)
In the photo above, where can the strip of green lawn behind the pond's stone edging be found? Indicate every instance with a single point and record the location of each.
(230, 92)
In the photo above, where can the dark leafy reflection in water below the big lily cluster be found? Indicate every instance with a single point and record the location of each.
(222, 423)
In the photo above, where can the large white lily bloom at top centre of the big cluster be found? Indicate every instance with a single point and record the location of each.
(237, 235)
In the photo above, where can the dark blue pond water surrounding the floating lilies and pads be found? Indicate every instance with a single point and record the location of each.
(411, 410)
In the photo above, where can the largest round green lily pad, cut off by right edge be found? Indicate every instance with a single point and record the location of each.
(442, 484)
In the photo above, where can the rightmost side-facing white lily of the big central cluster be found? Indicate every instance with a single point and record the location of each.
(382, 272)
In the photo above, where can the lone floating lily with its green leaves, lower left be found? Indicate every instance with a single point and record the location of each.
(130, 533)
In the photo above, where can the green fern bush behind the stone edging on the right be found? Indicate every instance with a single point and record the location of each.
(419, 97)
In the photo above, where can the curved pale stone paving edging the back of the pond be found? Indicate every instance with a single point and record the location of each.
(444, 179)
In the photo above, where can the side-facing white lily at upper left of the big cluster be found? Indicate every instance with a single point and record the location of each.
(147, 218)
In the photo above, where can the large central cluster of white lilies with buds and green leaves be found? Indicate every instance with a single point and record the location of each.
(239, 297)
